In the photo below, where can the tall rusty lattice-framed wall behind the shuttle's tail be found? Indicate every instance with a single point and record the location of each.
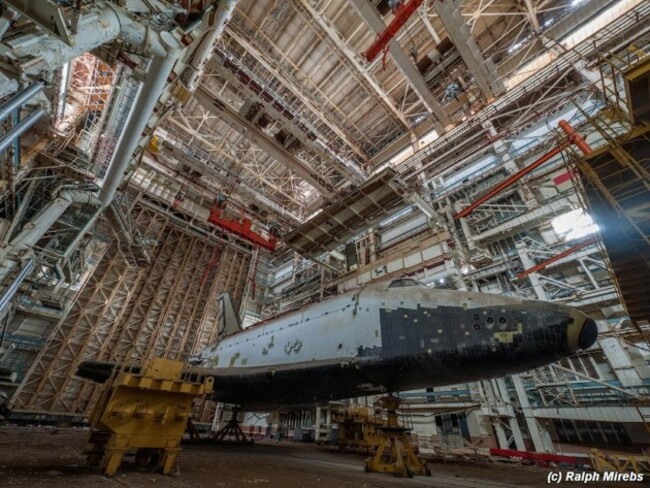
(127, 313)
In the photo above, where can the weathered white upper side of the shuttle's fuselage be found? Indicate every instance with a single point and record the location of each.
(335, 328)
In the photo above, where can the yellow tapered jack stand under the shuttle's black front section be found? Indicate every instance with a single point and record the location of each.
(395, 455)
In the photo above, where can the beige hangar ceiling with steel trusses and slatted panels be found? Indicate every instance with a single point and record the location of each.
(304, 116)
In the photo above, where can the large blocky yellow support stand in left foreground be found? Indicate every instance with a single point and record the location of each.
(145, 413)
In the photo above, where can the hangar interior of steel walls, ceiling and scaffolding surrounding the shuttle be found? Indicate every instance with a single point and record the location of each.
(157, 154)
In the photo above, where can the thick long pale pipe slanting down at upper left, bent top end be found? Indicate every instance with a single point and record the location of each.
(148, 95)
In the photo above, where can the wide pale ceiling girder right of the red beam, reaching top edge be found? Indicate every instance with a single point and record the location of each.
(483, 70)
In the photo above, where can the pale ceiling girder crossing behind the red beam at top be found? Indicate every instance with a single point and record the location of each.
(371, 16)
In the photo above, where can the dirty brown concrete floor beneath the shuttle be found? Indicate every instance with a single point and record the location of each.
(47, 457)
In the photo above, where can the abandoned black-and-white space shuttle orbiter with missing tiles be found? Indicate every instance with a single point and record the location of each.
(386, 337)
